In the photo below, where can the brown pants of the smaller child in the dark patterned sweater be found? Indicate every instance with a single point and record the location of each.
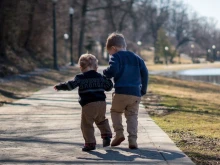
(94, 112)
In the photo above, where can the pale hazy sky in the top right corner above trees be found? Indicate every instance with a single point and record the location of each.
(208, 8)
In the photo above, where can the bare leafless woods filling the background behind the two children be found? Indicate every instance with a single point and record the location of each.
(26, 31)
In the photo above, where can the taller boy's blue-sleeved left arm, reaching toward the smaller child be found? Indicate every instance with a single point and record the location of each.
(113, 68)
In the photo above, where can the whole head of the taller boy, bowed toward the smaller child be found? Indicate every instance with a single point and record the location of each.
(115, 42)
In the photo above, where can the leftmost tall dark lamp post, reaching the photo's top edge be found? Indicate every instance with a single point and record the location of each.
(54, 36)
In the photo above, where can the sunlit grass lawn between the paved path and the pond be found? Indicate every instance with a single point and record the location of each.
(191, 116)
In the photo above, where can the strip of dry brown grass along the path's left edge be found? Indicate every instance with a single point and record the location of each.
(20, 88)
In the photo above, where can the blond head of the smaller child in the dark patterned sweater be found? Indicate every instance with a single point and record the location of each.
(88, 62)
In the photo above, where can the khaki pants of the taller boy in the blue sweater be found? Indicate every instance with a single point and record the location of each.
(128, 105)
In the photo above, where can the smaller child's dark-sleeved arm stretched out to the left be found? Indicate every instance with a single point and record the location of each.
(69, 85)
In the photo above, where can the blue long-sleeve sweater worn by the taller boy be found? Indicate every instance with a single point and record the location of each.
(129, 72)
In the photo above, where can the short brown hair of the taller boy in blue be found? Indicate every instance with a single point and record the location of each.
(115, 39)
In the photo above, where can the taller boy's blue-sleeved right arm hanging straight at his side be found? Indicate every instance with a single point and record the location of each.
(144, 78)
